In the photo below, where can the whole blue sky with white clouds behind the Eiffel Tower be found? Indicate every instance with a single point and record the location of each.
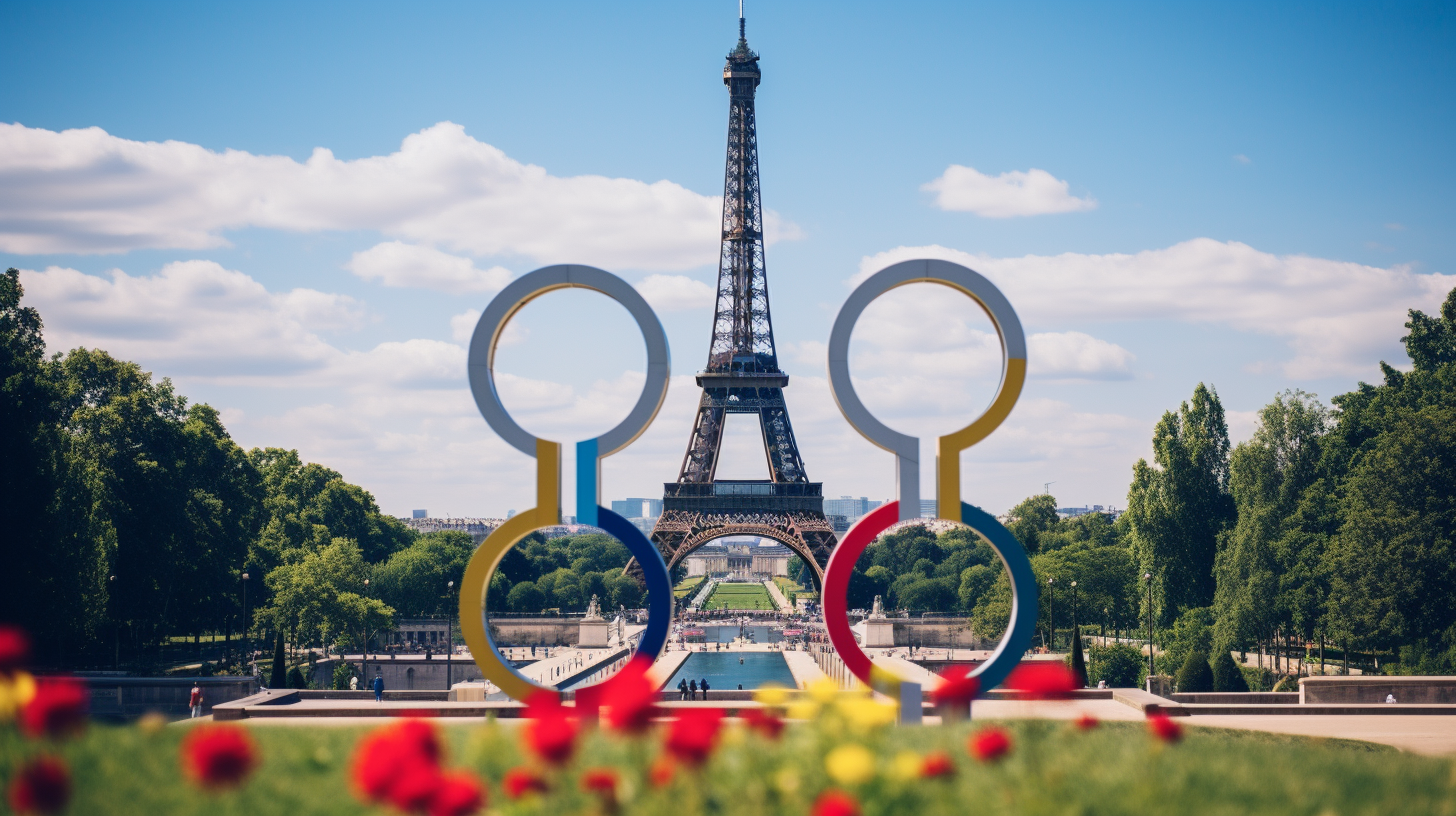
(1254, 195)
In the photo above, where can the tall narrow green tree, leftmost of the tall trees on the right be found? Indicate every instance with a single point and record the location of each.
(1180, 505)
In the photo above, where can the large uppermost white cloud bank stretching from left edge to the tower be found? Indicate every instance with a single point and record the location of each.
(90, 192)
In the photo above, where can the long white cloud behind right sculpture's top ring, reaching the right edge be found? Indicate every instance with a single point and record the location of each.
(1337, 317)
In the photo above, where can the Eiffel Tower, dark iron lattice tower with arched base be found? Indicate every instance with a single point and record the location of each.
(743, 377)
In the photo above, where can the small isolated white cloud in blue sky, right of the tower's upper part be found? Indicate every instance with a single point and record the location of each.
(1008, 196)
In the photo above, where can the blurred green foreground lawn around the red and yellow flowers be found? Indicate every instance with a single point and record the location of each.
(1052, 769)
